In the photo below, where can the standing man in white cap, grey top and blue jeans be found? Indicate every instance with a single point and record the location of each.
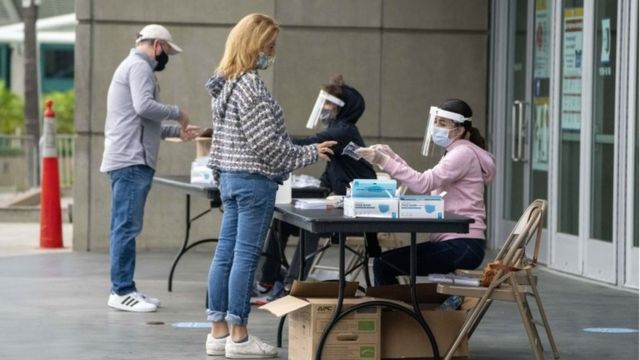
(133, 131)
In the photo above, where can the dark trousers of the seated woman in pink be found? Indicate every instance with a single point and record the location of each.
(440, 257)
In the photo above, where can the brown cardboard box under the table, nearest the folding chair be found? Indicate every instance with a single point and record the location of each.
(403, 338)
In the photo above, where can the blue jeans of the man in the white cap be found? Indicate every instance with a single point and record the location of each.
(129, 189)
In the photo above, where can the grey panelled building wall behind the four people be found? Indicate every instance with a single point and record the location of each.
(403, 55)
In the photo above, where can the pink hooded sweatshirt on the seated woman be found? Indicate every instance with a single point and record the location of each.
(463, 173)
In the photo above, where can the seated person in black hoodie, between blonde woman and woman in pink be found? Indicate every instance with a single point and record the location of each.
(339, 172)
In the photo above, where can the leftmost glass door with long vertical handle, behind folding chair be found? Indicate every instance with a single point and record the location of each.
(526, 148)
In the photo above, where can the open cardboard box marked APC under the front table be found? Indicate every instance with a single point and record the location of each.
(311, 306)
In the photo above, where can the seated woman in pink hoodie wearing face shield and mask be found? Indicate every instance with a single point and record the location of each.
(463, 172)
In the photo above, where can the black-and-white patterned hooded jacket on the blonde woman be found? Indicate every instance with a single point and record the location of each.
(248, 131)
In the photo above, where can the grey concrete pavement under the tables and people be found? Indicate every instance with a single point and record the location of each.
(53, 306)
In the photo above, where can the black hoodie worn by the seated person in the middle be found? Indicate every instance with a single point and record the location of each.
(342, 168)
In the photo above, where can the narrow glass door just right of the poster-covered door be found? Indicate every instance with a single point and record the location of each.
(600, 254)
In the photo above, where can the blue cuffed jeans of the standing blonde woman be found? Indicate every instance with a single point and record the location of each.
(248, 201)
